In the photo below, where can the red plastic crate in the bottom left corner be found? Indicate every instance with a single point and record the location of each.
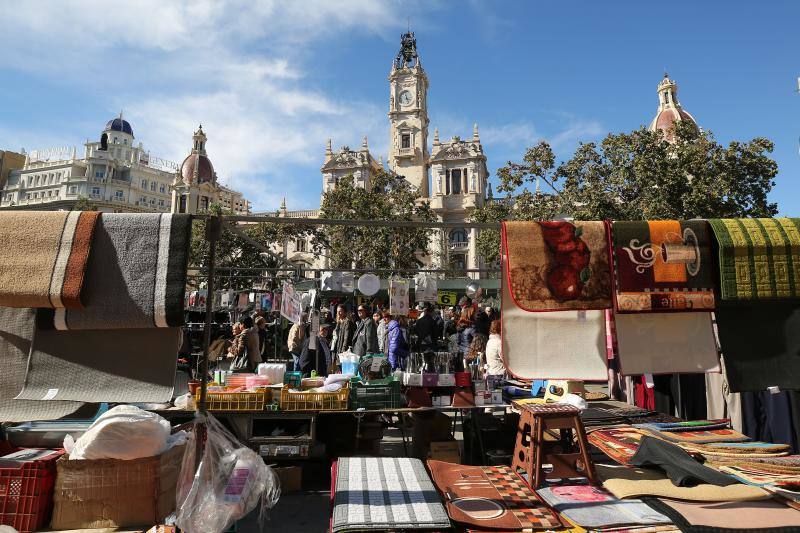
(26, 494)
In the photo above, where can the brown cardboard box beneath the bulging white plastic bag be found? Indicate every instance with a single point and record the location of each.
(108, 493)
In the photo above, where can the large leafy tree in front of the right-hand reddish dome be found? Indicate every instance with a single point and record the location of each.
(637, 176)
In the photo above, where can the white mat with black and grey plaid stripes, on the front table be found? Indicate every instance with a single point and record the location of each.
(385, 493)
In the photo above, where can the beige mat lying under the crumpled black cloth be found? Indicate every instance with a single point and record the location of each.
(625, 482)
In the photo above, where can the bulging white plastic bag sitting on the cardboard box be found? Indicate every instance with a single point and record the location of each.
(124, 432)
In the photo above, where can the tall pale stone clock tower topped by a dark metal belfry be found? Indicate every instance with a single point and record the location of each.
(408, 116)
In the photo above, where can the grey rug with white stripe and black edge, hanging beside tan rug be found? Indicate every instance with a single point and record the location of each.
(136, 276)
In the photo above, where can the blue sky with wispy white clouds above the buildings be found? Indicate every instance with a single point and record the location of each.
(271, 81)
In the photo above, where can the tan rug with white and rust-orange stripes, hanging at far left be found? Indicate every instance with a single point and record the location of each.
(43, 257)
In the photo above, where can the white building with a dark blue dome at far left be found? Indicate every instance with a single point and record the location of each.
(113, 175)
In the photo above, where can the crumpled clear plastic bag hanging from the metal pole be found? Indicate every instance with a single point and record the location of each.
(226, 486)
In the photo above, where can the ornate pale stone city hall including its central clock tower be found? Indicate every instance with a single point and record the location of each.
(451, 175)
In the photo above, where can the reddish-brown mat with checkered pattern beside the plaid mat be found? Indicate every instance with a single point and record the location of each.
(477, 495)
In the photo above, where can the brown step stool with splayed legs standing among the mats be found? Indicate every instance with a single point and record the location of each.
(532, 450)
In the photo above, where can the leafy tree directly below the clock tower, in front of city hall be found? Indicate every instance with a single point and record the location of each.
(388, 197)
